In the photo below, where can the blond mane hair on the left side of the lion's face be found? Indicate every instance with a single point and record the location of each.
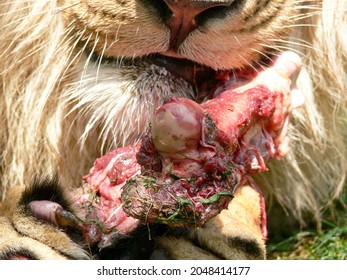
(33, 61)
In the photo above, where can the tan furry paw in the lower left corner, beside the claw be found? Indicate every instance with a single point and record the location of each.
(20, 231)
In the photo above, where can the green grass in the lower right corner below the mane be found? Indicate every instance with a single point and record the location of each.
(328, 244)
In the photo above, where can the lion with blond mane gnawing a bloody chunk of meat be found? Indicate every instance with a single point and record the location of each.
(77, 79)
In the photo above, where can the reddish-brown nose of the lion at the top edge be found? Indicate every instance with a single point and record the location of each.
(183, 18)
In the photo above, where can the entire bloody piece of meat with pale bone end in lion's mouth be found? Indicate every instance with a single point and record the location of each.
(187, 167)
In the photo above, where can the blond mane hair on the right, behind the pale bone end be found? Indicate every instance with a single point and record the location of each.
(313, 174)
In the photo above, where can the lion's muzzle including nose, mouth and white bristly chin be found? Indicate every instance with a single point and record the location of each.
(128, 46)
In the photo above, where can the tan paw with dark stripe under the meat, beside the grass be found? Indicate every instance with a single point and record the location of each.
(233, 234)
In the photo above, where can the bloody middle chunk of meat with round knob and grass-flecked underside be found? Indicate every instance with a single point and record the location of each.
(196, 155)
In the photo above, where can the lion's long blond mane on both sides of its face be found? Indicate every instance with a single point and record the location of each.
(38, 61)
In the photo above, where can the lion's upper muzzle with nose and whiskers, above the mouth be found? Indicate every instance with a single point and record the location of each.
(219, 34)
